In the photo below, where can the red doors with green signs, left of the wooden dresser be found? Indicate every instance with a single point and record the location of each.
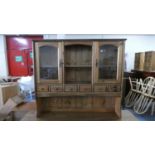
(20, 56)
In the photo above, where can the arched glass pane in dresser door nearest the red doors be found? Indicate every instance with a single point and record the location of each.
(48, 62)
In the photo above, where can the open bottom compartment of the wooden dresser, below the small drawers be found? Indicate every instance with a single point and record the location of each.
(92, 106)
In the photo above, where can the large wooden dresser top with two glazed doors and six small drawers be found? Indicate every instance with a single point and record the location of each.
(81, 76)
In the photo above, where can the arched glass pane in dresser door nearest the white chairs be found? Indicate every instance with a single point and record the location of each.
(108, 62)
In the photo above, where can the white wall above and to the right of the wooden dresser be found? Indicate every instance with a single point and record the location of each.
(134, 43)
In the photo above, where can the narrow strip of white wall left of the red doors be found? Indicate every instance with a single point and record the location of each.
(3, 58)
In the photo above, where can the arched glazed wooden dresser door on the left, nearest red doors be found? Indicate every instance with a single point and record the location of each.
(49, 62)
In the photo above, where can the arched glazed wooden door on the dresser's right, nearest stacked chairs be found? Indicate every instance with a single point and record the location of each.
(108, 65)
